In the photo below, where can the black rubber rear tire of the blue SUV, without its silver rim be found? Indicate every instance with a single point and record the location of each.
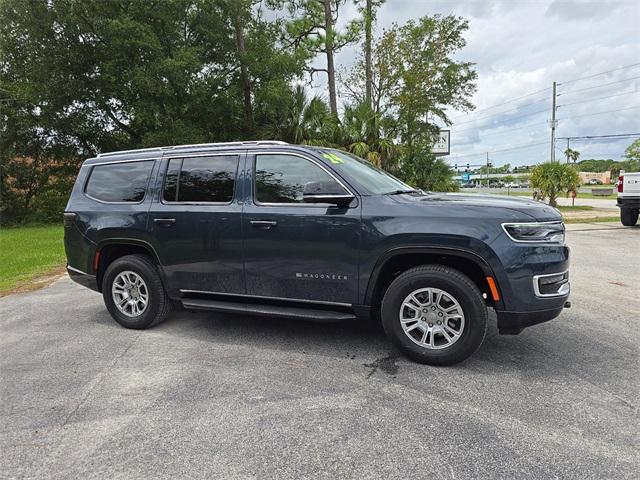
(158, 304)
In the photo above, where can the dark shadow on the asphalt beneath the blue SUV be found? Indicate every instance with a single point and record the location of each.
(361, 339)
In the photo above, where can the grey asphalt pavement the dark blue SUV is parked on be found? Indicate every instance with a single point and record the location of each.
(211, 396)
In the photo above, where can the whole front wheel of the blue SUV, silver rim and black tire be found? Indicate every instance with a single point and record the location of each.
(435, 315)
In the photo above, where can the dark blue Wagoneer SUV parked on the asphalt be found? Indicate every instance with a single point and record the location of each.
(268, 228)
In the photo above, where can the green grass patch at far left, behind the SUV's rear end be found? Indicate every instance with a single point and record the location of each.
(27, 252)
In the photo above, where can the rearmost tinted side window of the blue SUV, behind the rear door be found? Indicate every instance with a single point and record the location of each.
(119, 182)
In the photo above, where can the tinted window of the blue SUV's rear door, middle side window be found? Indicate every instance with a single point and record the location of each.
(201, 179)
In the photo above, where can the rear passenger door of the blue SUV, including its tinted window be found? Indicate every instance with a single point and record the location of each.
(195, 222)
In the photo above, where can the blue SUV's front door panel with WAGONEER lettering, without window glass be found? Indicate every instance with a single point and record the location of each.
(310, 253)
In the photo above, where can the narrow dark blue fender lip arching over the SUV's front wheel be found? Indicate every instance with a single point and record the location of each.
(425, 249)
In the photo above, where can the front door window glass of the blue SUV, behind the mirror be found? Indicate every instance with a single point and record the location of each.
(281, 178)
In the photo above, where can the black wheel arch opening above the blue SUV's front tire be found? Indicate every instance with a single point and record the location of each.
(395, 261)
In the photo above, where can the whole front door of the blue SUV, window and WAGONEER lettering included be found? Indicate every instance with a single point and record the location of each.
(295, 250)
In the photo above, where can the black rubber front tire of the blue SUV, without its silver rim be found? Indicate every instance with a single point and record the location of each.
(454, 283)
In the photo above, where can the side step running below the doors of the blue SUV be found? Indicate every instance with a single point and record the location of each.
(266, 310)
